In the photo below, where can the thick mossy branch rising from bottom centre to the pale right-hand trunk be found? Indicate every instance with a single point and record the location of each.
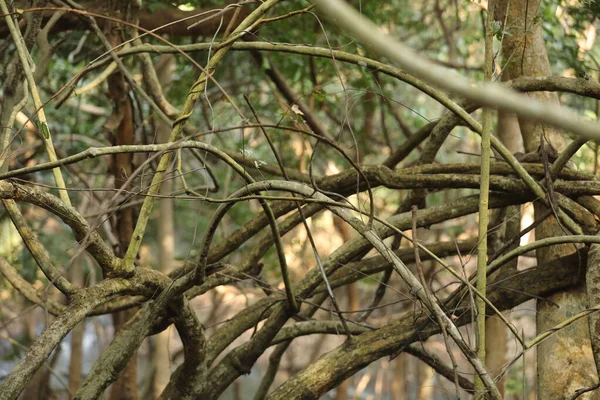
(344, 361)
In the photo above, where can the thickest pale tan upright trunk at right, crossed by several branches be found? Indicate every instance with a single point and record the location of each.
(564, 362)
